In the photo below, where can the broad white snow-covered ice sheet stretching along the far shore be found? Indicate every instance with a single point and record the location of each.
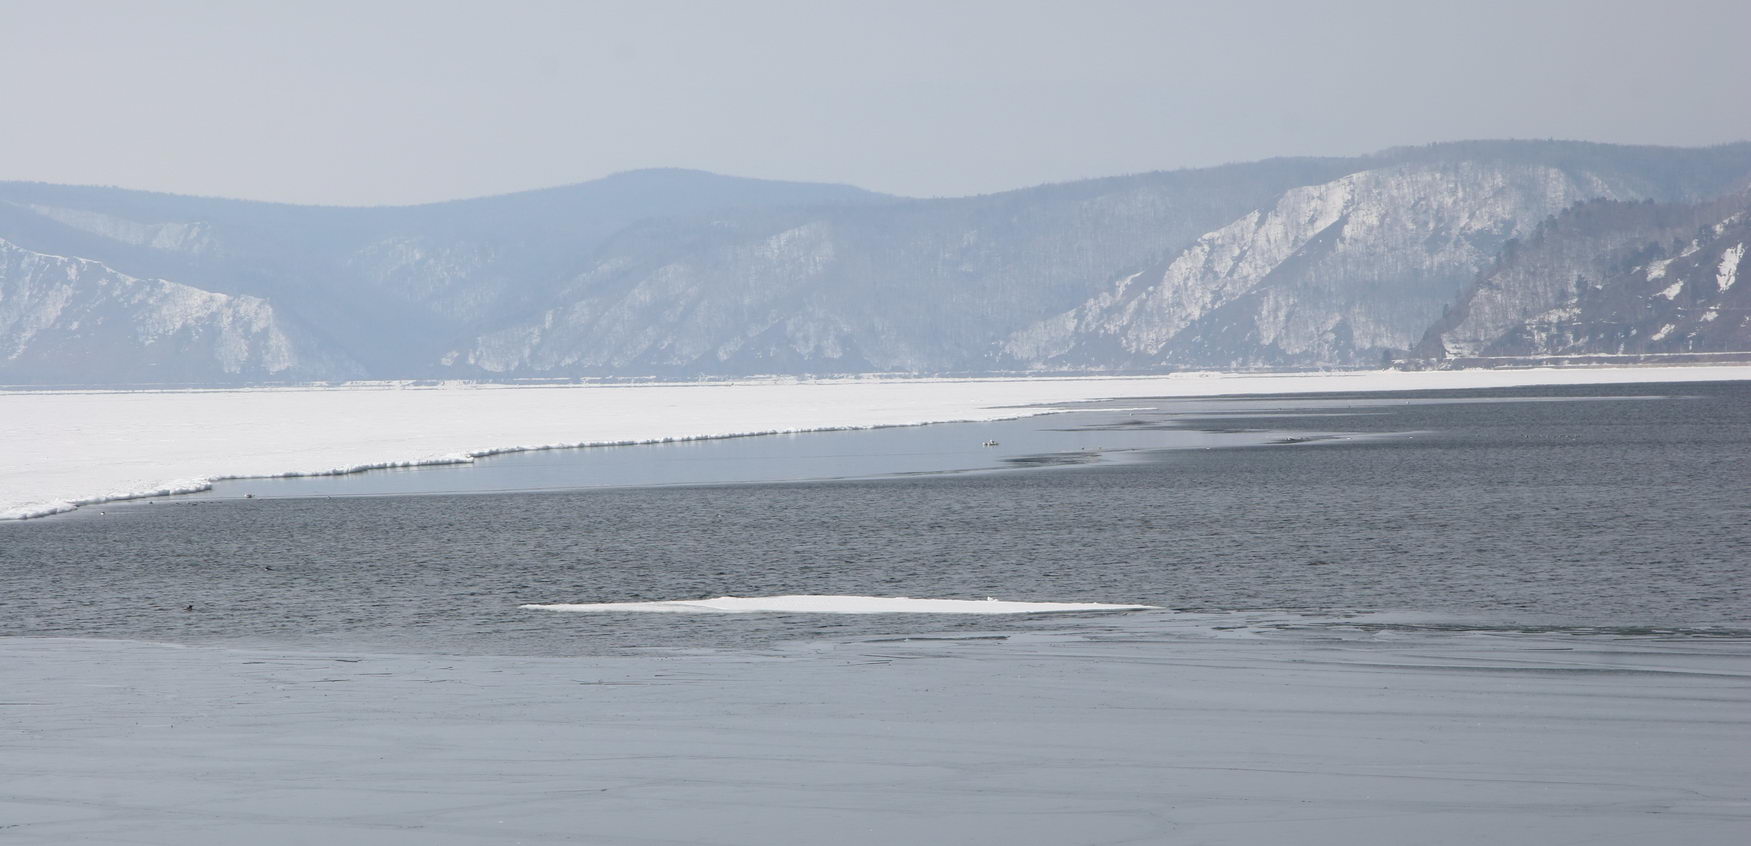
(67, 449)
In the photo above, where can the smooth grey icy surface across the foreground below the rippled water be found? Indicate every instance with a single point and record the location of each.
(1137, 730)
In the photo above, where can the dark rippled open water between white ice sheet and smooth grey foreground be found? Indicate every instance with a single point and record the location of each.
(1617, 509)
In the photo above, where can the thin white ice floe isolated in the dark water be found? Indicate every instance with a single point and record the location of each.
(841, 605)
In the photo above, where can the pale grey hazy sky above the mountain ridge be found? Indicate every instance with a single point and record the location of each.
(393, 102)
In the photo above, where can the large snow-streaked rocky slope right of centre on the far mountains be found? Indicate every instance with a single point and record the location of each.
(1330, 274)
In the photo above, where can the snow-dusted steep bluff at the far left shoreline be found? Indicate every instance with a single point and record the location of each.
(130, 328)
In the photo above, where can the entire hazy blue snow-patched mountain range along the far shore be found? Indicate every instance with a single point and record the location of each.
(1445, 253)
